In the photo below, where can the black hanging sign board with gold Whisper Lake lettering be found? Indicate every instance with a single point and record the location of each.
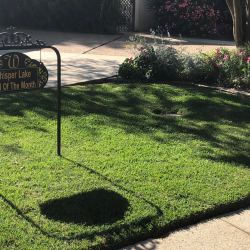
(20, 72)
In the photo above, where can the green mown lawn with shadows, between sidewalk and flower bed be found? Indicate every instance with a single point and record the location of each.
(128, 170)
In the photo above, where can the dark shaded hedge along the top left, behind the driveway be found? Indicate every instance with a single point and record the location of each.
(70, 15)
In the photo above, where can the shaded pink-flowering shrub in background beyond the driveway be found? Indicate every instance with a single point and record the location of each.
(189, 18)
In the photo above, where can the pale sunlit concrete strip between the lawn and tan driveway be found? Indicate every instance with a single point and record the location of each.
(78, 68)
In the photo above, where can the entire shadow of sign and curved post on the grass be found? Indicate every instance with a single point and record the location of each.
(82, 203)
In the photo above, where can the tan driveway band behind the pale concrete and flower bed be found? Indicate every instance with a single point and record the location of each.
(114, 45)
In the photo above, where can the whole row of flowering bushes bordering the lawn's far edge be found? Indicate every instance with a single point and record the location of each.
(163, 62)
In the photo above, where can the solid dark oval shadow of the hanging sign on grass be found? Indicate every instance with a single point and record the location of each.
(96, 207)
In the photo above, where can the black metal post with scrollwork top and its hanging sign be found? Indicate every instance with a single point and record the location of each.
(20, 73)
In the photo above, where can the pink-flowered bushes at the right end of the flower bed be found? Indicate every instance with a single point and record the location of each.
(220, 67)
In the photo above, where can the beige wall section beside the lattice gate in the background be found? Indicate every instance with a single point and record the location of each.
(143, 18)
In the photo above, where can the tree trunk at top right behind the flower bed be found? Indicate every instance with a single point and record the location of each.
(241, 38)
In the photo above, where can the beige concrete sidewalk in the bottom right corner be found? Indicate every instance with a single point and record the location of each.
(228, 232)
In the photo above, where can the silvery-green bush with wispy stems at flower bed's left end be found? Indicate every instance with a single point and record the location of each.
(157, 62)
